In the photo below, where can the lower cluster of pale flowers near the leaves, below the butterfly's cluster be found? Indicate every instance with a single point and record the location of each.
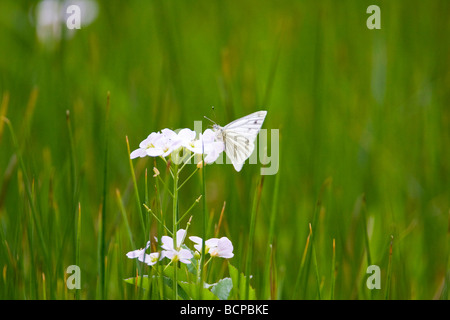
(222, 248)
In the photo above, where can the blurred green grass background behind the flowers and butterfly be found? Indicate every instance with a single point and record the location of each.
(366, 109)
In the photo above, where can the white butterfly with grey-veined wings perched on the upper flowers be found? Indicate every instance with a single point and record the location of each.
(239, 137)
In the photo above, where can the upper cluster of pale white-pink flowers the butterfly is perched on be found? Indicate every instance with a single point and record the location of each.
(165, 142)
